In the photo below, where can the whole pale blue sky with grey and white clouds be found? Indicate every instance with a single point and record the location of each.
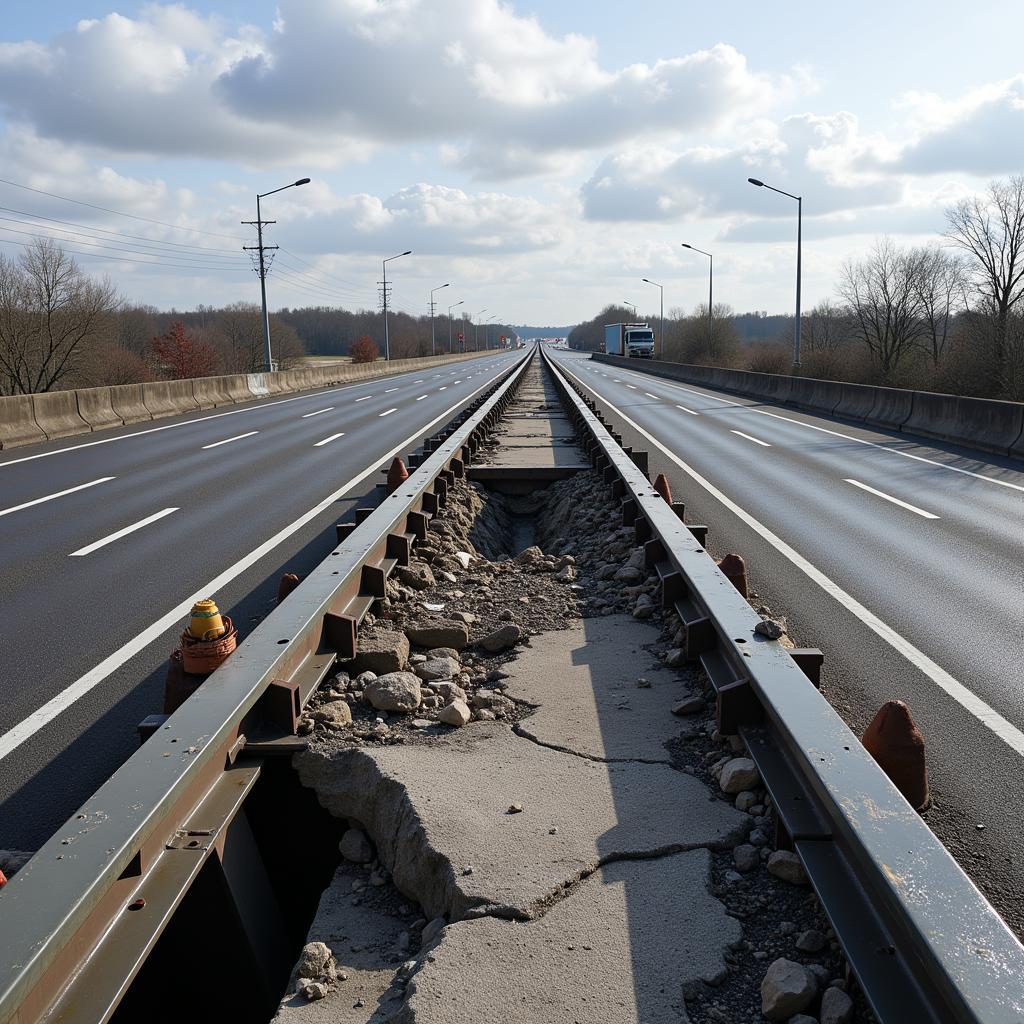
(542, 157)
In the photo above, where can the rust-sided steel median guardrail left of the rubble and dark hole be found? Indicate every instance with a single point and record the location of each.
(78, 922)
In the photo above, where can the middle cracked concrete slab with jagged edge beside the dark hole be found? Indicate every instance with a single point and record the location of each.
(435, 808)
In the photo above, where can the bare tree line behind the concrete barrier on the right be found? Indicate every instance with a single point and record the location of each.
(941, 317)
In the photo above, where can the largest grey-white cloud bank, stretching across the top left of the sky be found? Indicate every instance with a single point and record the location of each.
(337, 79)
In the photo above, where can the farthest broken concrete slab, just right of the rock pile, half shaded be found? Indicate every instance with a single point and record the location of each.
(584, 680)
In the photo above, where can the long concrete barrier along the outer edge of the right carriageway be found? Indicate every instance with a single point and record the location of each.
(982, 423)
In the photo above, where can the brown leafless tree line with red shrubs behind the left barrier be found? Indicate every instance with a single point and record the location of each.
(62, 328)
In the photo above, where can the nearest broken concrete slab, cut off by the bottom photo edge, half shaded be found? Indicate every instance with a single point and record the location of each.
(618, 950)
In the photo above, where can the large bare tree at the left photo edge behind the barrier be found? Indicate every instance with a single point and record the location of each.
(51, 313)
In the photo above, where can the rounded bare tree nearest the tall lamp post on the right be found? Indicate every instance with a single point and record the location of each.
(882, 293)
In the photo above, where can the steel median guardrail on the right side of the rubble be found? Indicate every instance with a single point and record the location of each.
(924, 944)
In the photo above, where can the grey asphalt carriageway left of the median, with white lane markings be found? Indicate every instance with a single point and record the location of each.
(109, 538)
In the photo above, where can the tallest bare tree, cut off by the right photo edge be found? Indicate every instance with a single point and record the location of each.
(991, 230)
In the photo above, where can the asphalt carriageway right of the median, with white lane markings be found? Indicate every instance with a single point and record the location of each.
(903, 560)
